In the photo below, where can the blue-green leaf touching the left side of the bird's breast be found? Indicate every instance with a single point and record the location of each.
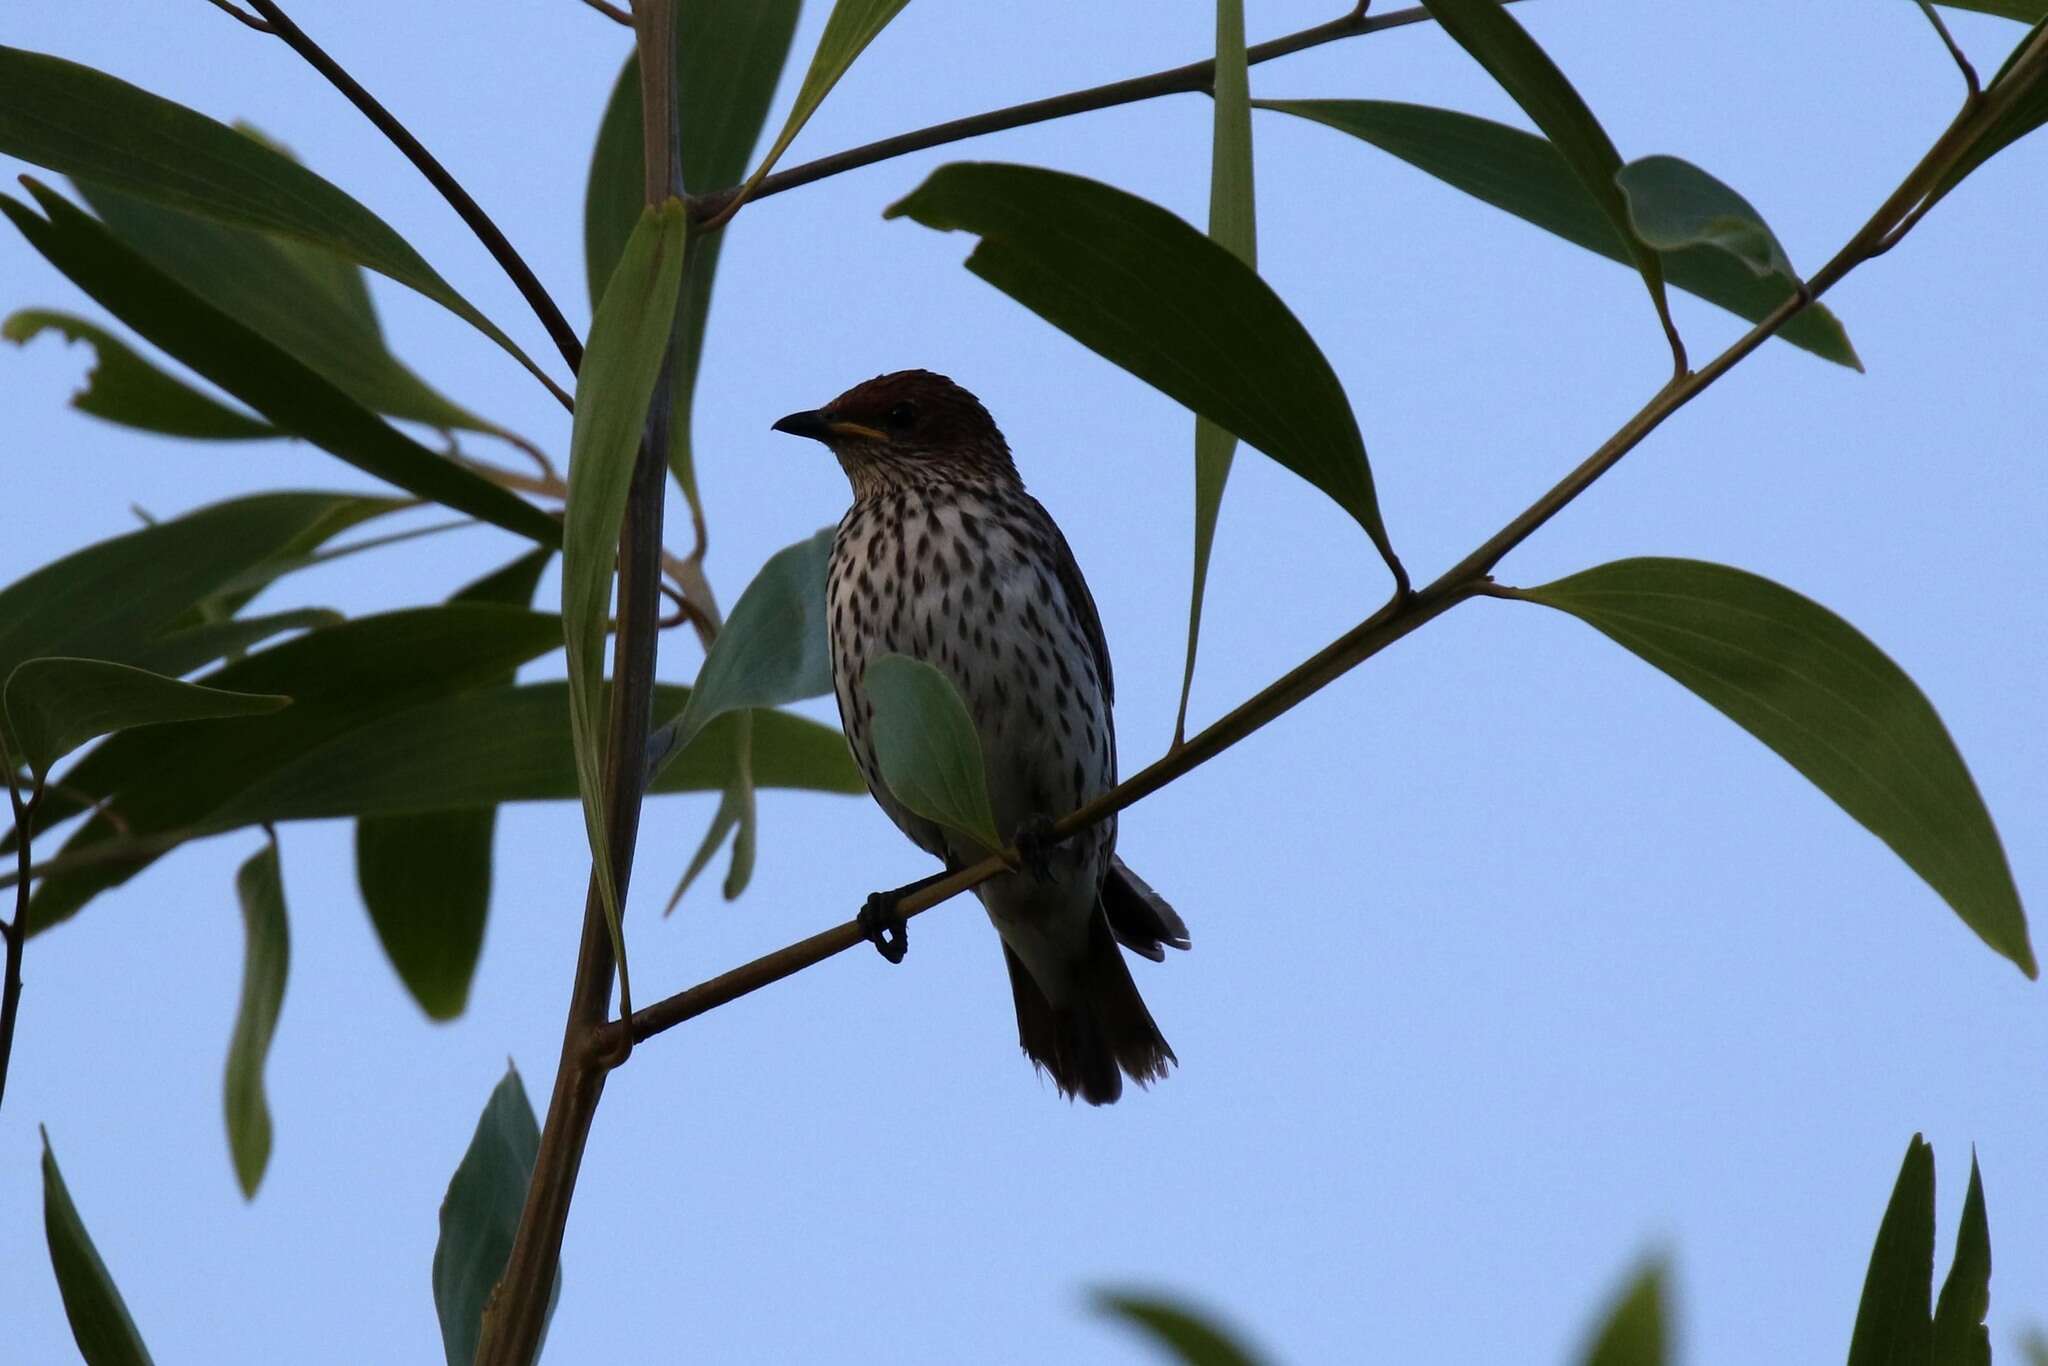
(771, 652)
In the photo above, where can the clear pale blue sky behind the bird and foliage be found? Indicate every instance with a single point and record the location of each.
(1512, 962)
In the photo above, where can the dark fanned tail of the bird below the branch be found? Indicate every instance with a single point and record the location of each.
(1103, 1035)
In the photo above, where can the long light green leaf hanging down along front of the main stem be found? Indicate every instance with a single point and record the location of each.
(613, 394)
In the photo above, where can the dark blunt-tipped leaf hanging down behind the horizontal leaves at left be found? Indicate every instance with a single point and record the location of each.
(427, 878)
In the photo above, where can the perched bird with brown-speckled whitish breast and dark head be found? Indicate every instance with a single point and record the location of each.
(947, 560)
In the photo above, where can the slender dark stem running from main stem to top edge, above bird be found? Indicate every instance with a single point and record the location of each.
(1179, 81)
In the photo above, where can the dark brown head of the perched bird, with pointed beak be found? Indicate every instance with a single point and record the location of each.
(908, 429)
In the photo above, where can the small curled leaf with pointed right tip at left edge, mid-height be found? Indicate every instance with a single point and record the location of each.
(56, 706)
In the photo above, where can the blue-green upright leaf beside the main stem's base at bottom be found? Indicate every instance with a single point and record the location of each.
(480, 1215)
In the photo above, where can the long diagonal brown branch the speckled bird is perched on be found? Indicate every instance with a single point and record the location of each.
(1469, 579)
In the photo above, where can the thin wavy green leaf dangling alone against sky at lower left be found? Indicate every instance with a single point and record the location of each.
(265, 962)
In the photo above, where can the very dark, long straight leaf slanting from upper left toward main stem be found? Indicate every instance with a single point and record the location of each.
(271, 382)
